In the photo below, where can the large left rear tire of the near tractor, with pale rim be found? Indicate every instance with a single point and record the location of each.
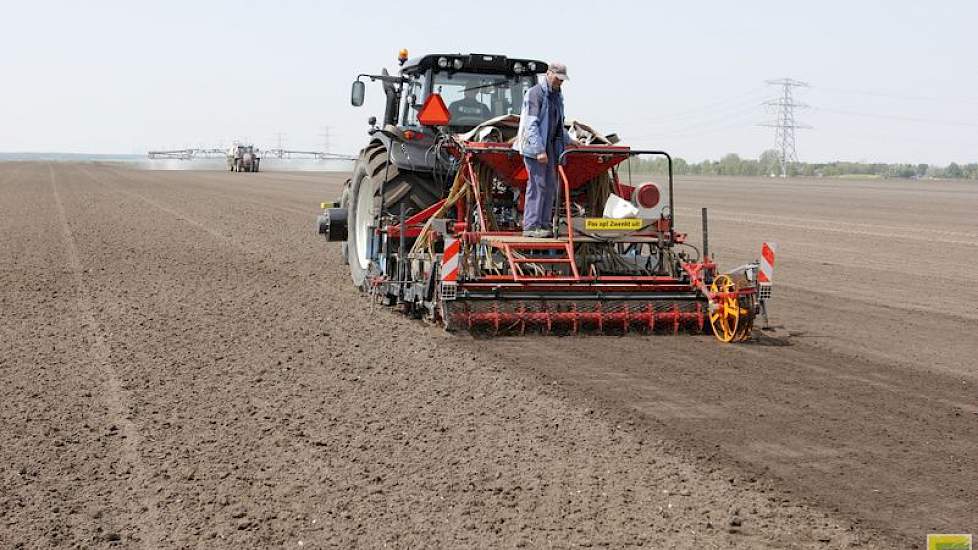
(414, 190)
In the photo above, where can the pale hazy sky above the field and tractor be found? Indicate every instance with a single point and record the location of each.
(892, 81)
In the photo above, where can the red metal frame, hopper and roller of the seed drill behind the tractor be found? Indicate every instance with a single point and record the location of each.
(576, 167)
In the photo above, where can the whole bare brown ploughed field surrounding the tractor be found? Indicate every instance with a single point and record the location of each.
(184, 364)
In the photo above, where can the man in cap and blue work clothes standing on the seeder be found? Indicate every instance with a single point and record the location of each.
(541, 140)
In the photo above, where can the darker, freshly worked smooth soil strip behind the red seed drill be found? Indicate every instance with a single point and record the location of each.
(853, 434)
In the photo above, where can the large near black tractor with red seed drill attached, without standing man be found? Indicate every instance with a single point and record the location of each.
(430, 220)
